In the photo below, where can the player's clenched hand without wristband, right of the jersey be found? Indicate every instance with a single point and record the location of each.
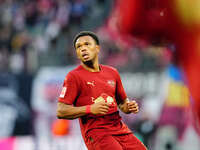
(128, 106)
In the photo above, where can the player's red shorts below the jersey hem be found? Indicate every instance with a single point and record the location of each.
(115, 142)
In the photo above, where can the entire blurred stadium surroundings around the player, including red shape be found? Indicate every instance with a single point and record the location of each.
(155, 44)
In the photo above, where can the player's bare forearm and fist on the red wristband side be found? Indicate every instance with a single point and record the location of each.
(65, 111)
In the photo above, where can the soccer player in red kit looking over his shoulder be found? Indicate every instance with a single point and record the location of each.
(93, 92)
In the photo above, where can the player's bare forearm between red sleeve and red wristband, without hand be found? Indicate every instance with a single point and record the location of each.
(70, 112)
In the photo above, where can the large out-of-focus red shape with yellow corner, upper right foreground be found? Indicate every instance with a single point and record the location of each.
(178, 21)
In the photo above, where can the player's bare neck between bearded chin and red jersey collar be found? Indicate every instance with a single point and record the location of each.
(91, 66)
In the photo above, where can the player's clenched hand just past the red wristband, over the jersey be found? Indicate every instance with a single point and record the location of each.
(99, 108)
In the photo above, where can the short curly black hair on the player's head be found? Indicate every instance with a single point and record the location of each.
(86, 33)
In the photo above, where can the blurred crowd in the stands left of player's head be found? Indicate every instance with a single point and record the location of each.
(37, 33)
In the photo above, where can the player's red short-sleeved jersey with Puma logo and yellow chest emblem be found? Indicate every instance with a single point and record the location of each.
(82, 87)
